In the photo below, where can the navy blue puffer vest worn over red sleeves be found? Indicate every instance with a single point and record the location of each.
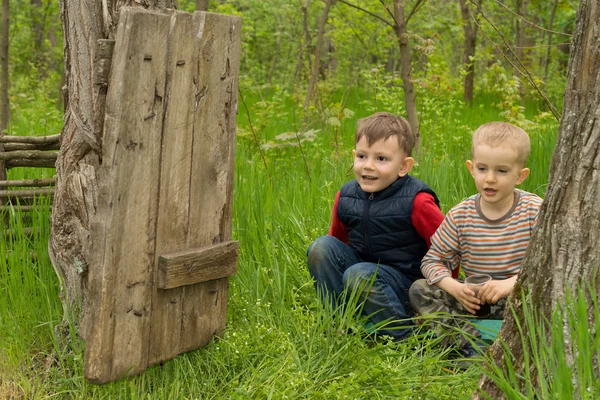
(380, 229)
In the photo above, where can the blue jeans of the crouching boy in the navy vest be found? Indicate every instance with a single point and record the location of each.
(383, 289)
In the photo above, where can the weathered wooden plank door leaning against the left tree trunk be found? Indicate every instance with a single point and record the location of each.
(162, 248)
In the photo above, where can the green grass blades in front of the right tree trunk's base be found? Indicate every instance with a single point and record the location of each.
(545, 354)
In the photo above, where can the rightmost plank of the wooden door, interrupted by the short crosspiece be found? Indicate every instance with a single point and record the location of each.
(211, 184)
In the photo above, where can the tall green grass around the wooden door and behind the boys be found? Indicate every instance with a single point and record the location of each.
(279, 342)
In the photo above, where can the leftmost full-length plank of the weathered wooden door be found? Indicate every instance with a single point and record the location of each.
(125, 226)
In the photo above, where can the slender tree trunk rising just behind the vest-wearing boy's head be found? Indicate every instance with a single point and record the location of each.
(406, 72)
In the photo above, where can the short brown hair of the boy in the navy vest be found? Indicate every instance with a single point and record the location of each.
(383, 125)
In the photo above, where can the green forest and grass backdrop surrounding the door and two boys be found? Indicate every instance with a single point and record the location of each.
(293, 153)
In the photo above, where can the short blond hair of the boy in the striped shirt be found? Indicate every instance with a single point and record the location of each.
(496, 134)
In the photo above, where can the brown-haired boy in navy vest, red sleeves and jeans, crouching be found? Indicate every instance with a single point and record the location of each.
(380, 230)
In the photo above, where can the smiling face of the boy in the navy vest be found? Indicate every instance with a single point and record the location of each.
(378, 166)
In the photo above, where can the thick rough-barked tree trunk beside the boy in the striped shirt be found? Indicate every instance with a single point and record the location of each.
(564, 248)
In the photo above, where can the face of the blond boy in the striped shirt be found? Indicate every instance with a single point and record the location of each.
(496, 171)
